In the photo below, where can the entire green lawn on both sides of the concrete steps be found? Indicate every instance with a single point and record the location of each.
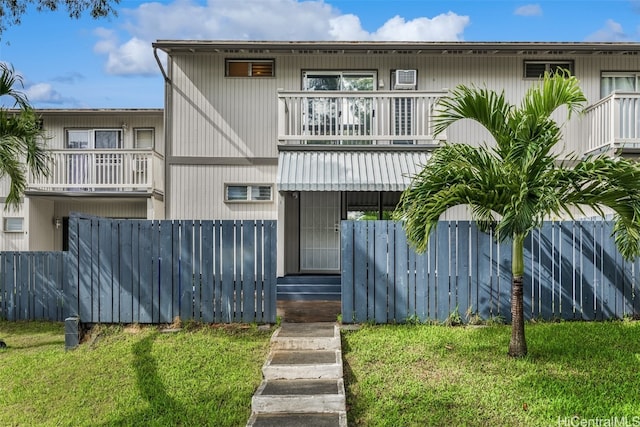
(396, 375)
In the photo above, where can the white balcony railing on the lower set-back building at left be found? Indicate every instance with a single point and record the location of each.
(99, 170)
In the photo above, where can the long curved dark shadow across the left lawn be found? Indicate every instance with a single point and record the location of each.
(162, 409)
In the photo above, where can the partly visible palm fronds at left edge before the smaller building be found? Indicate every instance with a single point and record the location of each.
(20, 136)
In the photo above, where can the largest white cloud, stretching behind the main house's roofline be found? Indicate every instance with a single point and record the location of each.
(254, 20)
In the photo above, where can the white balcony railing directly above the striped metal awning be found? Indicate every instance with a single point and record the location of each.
(357, 118)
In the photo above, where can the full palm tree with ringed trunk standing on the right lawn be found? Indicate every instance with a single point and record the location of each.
(512, 186)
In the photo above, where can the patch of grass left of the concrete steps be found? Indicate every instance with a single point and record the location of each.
(130, 376)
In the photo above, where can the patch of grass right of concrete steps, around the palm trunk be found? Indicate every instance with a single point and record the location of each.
(419, 375)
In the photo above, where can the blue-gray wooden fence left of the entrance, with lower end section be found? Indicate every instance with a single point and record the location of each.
(142, 271)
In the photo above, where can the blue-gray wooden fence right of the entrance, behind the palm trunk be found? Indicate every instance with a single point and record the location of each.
(573, 271)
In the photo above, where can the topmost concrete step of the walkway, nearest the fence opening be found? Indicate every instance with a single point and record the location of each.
(306, 336)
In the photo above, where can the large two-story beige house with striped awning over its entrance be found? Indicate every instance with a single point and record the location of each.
(309, 133)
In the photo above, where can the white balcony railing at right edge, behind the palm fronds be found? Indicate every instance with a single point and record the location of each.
(613, 123)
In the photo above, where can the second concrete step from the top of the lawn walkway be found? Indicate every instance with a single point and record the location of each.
(303, 364)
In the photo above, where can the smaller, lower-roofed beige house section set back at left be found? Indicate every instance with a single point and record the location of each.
(104, 162)
